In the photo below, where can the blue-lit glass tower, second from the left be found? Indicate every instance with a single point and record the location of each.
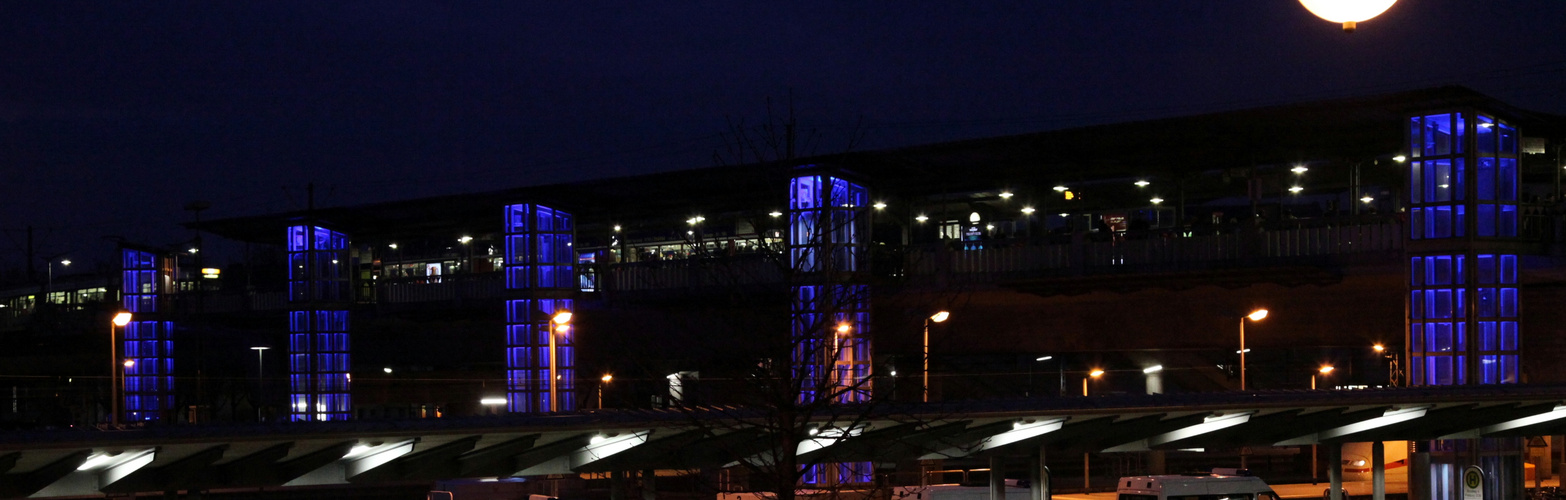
(320, 294)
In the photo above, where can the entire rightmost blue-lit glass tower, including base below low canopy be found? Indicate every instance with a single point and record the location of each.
(1463, 286)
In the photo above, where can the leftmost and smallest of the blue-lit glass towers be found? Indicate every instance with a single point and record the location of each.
(148, 344)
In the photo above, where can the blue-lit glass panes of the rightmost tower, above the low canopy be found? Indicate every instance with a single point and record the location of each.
(1463, 167)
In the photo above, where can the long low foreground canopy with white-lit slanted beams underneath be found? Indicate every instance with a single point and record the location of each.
(76, 463)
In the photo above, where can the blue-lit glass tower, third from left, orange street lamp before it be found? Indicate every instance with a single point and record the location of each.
(541, 277)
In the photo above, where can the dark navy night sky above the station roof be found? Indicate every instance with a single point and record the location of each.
(115, 115)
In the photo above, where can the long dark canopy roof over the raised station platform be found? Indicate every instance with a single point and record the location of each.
(1172, 151)
